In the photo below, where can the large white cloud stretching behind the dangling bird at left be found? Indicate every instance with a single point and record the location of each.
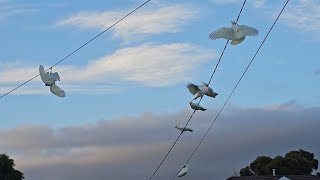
(145, 65)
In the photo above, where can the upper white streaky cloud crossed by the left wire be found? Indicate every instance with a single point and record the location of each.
(144, 22)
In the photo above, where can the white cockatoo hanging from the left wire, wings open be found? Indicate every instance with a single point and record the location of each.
(49, 79)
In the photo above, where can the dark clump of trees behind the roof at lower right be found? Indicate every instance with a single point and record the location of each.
(293, 163)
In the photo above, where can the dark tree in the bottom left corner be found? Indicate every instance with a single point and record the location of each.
(7, 171)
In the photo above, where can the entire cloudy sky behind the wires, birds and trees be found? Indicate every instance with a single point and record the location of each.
(126, 90)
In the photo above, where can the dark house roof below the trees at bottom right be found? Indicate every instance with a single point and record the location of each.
(291, 177)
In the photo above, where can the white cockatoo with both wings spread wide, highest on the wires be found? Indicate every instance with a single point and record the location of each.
(235, 33)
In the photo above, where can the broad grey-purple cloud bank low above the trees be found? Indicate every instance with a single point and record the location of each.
(131, 147)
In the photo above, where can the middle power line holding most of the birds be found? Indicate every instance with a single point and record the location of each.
(165, 157)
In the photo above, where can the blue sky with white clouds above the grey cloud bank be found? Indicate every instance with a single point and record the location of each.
(143, 64)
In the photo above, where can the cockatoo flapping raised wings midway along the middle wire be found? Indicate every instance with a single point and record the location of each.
(199, 91)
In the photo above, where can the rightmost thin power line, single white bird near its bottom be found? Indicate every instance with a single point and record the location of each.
(215, 119)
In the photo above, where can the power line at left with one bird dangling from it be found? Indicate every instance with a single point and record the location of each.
(63, 59)
